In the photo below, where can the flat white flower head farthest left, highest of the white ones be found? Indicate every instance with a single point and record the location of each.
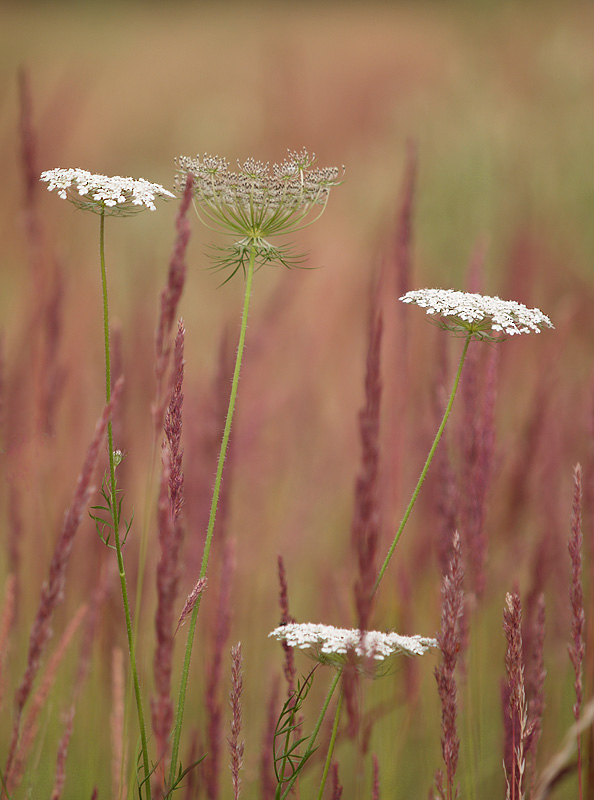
(103, 194)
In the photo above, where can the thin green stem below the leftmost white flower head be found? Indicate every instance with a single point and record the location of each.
(116, 517)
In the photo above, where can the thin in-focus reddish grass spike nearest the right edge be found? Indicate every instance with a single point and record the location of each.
(576, 598)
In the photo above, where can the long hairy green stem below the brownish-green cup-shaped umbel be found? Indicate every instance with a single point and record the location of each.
(211, 520)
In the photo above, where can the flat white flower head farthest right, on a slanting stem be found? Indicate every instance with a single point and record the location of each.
(478, 314)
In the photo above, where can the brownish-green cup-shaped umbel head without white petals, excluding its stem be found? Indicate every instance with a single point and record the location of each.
(254, 204)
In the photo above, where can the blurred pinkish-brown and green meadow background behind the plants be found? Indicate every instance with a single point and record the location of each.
(466, 130)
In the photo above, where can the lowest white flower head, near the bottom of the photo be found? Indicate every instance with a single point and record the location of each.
(330, 645)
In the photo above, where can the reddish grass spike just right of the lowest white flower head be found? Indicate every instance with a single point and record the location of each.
(449, 640)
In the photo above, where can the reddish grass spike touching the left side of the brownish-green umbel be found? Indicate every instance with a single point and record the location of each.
(170, 297)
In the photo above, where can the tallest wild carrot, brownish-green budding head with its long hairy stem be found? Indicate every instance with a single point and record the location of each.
(252, 205)
